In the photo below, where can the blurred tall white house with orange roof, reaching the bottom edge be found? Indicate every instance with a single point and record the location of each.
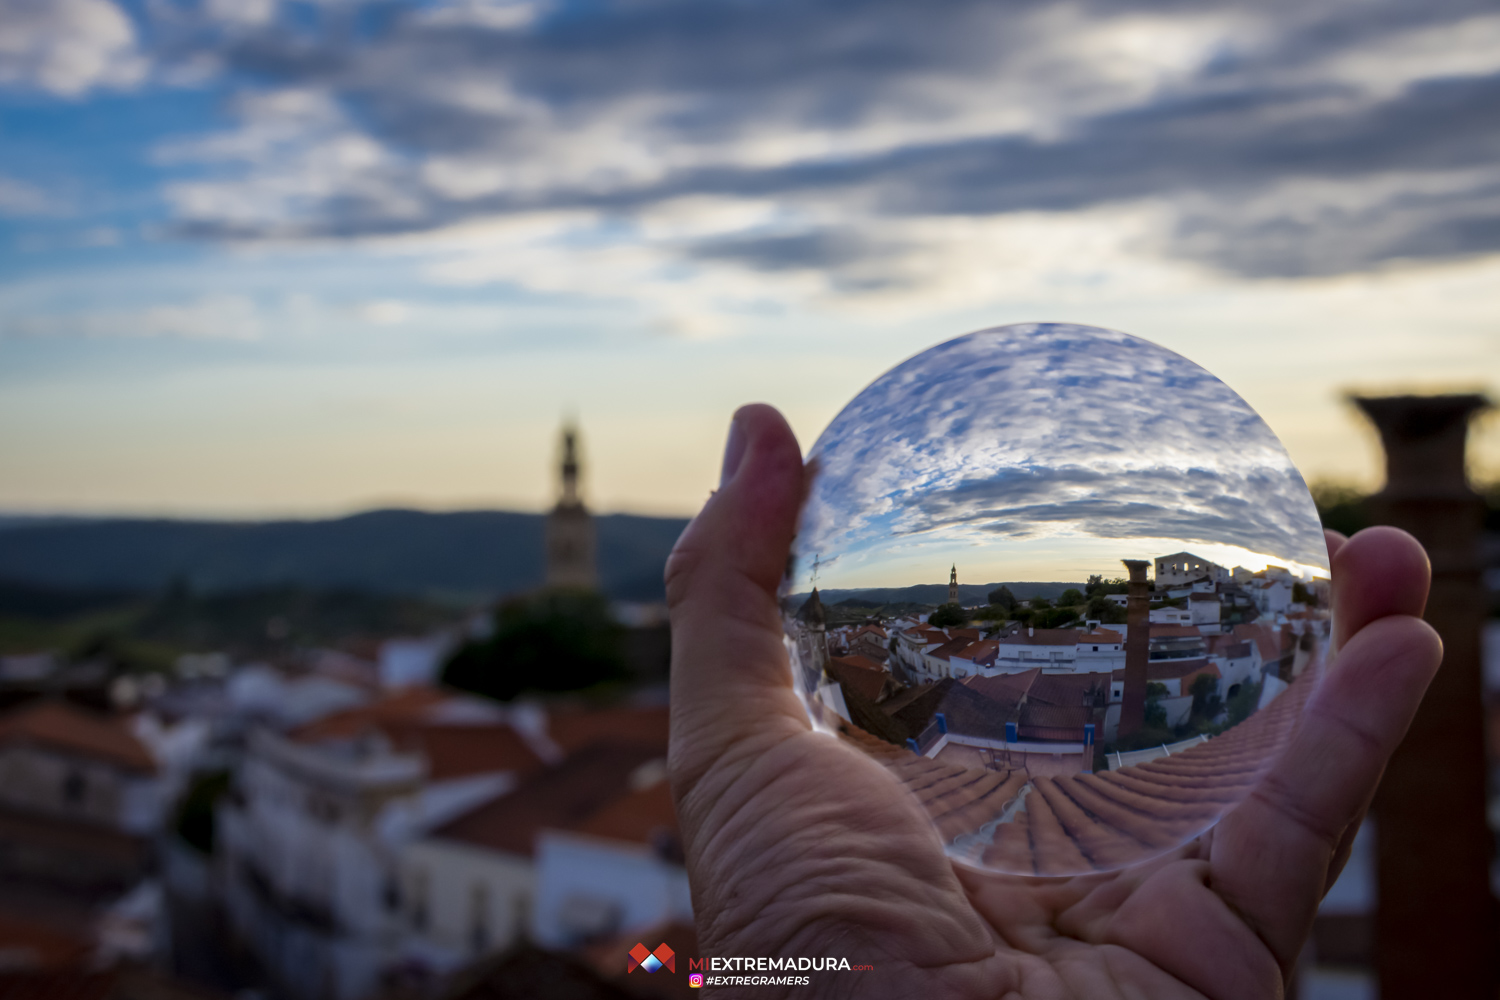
(310, 840)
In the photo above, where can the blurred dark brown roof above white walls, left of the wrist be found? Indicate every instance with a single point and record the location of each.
(559, 798)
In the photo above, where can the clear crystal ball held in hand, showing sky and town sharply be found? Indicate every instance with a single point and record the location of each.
(1066, 587)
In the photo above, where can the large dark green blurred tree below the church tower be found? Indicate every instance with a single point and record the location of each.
(548, 642)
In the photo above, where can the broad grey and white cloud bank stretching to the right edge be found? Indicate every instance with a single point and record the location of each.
(856, 154)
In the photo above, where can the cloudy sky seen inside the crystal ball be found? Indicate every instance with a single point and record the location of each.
(1045, 452)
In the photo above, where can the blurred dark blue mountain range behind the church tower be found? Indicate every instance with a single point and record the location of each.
(470, 554)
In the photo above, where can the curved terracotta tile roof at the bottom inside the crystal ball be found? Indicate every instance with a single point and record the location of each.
(1088, 822)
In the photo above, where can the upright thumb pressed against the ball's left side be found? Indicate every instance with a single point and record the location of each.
(730, 669)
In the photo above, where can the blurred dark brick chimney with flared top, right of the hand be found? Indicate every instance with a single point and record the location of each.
(1435, 918)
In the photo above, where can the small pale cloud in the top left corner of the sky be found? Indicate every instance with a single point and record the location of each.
(68, 47)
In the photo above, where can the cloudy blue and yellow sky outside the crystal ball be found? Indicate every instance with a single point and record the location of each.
(302, 259)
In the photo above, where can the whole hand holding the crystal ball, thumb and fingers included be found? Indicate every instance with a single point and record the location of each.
(799, 845)
